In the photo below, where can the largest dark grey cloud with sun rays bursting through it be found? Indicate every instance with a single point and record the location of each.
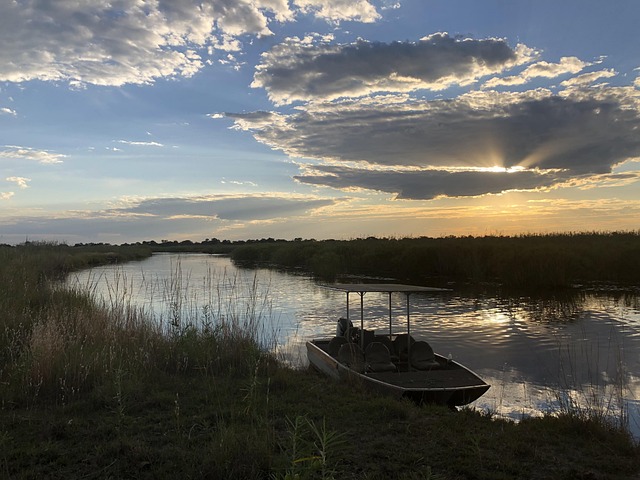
(421, 149)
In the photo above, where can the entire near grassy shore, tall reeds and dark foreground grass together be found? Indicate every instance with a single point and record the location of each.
(96, 392)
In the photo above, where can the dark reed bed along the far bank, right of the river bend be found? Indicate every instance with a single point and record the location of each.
(531, 261)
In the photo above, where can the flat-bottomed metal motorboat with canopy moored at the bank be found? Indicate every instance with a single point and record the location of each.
(393, 364)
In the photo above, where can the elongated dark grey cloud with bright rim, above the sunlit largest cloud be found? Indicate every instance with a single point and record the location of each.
(311, 69)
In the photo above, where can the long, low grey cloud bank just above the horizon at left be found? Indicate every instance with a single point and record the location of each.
(168, 217)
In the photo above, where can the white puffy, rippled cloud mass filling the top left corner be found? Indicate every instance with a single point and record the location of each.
(134, 42)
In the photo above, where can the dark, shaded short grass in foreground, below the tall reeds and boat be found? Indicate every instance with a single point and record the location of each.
(276, 423)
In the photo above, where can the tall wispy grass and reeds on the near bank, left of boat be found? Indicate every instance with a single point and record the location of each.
(58, 343)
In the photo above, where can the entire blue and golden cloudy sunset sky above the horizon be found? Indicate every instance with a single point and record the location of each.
(130, 120)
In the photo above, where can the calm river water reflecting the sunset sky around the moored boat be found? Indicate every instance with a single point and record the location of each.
(533, 352)
